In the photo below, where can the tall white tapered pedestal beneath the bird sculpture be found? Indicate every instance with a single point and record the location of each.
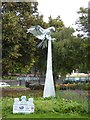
(49, 90)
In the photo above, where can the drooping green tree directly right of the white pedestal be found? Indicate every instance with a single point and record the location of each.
(69, 52)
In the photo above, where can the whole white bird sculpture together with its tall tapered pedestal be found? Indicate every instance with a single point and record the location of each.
(45, 35)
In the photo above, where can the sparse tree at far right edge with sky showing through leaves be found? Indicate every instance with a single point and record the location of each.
(84, 31)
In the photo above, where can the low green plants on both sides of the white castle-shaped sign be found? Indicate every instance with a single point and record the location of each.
(49, 105)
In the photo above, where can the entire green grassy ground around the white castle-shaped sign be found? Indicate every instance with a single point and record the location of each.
(66, 104)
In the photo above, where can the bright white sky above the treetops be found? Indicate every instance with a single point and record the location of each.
(67, 9)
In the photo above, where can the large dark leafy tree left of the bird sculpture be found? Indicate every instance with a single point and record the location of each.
(18, 47)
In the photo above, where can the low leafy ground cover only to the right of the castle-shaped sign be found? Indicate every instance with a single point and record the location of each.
(57, 105)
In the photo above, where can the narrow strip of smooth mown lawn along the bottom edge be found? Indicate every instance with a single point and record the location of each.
(49, 115)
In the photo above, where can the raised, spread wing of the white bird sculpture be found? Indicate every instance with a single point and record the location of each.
(37, 31)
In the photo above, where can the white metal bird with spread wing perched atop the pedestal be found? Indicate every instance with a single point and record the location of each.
(42, 34)
